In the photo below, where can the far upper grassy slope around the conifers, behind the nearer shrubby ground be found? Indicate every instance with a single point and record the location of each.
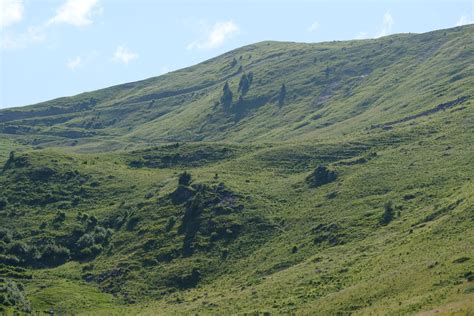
(339, 87)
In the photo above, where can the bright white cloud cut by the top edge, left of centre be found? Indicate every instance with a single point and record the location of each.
(76, 12)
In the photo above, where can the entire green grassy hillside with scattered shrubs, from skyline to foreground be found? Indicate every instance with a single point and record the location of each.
(330, 177)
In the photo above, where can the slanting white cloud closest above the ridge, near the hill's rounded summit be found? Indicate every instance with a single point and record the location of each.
(215, 37)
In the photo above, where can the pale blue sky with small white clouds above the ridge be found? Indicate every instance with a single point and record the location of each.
(55, 48)
